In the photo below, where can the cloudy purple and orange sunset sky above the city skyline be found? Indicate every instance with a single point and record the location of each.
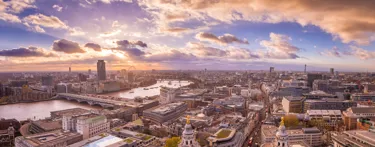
(53, 35)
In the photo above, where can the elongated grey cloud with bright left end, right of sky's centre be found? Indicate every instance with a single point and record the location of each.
(223, 40)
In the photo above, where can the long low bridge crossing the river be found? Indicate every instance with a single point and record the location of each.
(93, 101)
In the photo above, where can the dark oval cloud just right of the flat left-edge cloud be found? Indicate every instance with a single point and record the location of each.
(67, 46)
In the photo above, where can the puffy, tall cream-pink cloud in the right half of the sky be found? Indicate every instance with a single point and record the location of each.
(279, 47)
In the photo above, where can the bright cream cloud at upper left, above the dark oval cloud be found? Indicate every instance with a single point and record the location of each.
(45, 21)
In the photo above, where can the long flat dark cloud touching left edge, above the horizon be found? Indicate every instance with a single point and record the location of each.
(26, 52)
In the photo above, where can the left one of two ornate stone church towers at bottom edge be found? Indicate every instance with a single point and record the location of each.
(188, 136)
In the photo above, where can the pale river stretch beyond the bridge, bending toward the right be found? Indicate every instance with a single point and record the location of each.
(152, 90)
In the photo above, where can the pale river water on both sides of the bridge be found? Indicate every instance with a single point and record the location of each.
(40, 110)
